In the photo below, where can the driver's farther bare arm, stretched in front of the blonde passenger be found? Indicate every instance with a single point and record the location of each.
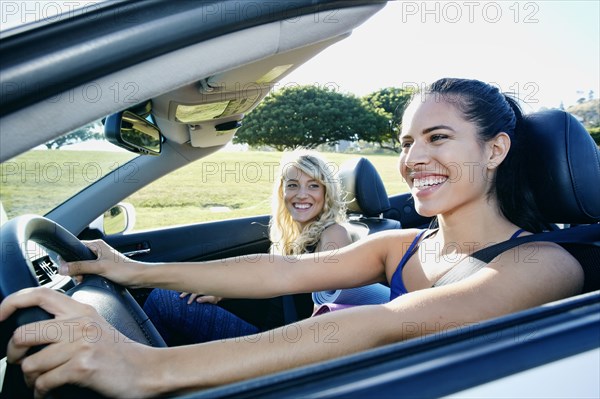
(249, 276)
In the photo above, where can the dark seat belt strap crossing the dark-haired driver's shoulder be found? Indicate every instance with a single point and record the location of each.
(588, 235)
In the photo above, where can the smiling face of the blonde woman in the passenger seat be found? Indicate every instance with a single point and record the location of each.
(303, 195)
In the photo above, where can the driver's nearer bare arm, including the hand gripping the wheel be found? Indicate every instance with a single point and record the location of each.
(505, 286)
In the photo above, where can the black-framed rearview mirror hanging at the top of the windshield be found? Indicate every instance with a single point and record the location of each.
(134, 133)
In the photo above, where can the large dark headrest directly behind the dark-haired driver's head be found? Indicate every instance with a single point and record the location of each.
(563, 164)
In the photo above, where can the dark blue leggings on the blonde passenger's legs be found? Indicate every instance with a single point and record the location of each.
(181, 324)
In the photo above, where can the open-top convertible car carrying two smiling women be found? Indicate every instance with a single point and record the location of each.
(170, 82)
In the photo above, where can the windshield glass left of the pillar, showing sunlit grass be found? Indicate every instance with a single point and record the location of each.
(41, 179)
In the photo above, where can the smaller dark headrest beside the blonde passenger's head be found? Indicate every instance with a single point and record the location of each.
(365, 192)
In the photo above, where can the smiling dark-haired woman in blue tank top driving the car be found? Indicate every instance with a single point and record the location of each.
(458, 137)
